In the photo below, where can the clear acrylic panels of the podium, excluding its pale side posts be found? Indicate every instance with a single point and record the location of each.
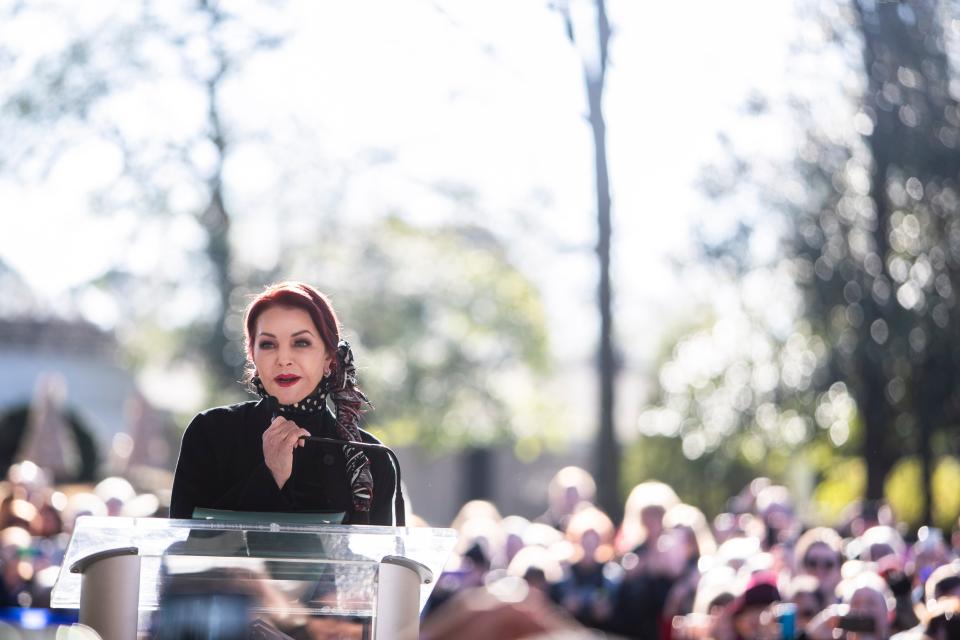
(325, 569)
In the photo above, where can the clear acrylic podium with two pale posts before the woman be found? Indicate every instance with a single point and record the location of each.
(126, 575)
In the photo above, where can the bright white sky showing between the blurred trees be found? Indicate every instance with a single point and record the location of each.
(484, 96)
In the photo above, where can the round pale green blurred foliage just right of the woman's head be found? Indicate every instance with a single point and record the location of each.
(451, 337)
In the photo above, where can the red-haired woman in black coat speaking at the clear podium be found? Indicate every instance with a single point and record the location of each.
(252, 456)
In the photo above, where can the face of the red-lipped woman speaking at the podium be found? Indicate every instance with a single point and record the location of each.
(288, 353)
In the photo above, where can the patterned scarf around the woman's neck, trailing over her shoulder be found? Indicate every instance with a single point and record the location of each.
(341, 386)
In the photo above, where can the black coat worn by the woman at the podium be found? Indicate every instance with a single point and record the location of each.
(221, 466)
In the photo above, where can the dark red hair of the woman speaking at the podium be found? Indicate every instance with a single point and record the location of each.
(299, 296)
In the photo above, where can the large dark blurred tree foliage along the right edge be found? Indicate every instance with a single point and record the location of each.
(869, 366)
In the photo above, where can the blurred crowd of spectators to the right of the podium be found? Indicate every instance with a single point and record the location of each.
(754, 572)
